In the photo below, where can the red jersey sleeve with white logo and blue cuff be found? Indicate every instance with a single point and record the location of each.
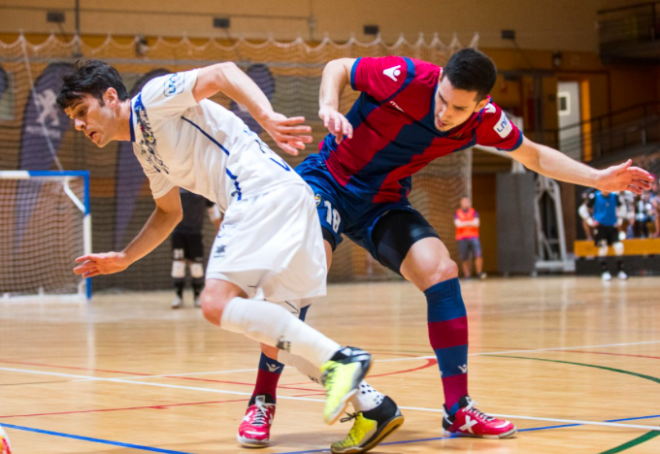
(382, 77)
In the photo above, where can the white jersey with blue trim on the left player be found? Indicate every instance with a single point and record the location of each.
(201, 147)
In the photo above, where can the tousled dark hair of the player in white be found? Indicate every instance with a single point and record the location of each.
(93, 77)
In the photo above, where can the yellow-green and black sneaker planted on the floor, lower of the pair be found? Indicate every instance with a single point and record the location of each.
(370, 428)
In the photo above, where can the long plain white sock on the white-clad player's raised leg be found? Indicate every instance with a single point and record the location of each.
(275, 326)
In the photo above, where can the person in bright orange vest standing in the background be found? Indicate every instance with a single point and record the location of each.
(467, 236)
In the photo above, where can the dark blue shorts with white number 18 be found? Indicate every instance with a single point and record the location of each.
(341, 211)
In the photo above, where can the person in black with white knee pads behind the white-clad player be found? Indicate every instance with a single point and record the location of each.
(187, 245)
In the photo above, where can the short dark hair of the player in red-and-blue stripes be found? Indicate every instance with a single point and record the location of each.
(471, 70)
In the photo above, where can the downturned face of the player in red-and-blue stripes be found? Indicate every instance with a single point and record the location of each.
(453, 107)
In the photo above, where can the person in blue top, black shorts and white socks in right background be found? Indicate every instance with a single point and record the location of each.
(606, 221)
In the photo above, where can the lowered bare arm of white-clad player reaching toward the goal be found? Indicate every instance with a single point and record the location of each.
(166, 216)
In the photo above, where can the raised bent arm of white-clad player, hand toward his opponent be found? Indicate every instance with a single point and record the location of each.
(288, 133)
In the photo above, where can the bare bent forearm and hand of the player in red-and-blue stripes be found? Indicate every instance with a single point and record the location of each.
(336, 75)
